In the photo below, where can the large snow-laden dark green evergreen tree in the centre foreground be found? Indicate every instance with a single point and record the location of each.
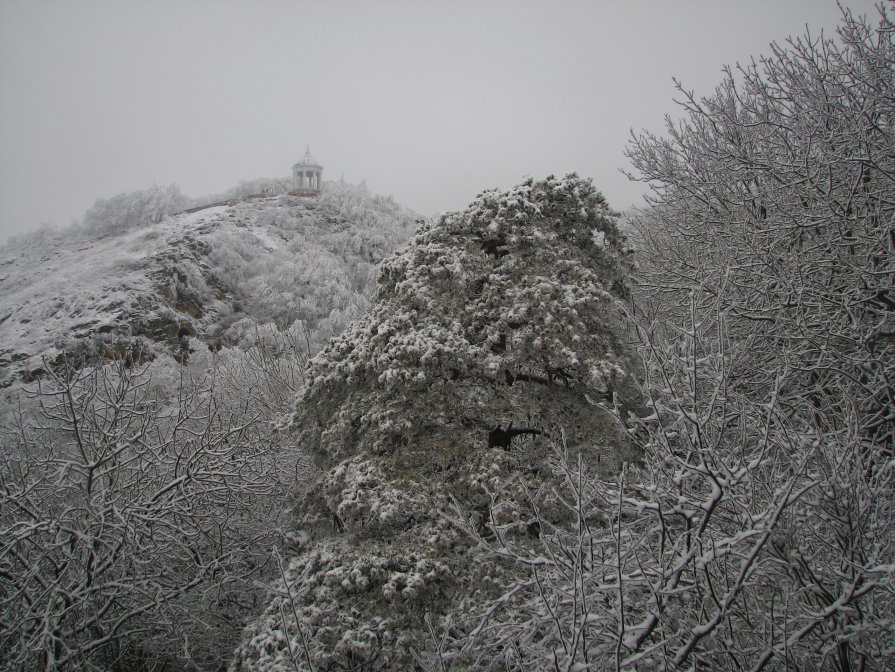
(494, 335)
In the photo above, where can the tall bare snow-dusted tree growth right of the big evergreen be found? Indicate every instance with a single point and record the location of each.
(757, 533)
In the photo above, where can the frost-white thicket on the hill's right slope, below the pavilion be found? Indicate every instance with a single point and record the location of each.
(322, 265)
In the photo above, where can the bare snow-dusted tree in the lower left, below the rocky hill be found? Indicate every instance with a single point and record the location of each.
(131, 525)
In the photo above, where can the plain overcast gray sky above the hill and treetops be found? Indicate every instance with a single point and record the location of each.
(429, 101)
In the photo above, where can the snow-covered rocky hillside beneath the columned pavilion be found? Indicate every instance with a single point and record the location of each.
(194, 279)
